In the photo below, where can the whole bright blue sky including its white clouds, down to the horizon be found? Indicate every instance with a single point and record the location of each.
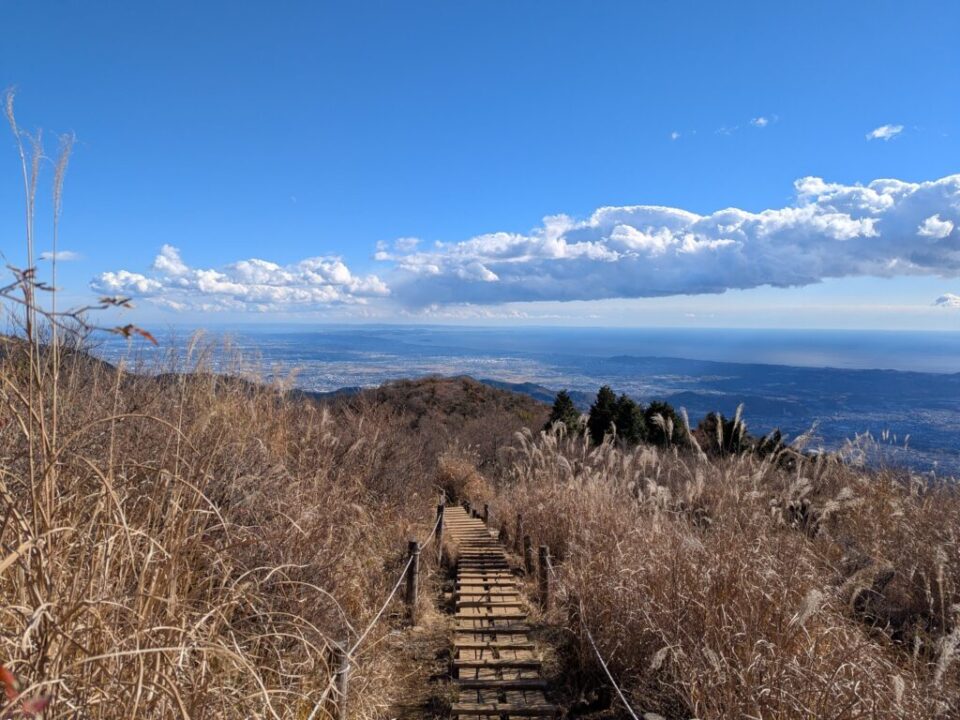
(314, 138)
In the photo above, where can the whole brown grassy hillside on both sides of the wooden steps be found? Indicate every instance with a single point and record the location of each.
(182, 544)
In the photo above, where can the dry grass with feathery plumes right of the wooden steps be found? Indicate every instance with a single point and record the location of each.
(731, 588)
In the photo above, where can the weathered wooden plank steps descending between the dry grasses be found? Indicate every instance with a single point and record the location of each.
(494, 665)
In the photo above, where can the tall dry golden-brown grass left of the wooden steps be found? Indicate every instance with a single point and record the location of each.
(193, 544)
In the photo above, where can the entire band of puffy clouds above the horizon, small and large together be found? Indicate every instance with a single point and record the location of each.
(883, 229)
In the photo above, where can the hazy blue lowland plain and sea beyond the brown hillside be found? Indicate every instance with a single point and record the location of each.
(845, 382)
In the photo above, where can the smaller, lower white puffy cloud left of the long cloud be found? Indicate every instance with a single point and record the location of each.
(254, 284)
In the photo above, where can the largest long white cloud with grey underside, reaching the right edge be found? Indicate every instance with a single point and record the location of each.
(885, 228)
